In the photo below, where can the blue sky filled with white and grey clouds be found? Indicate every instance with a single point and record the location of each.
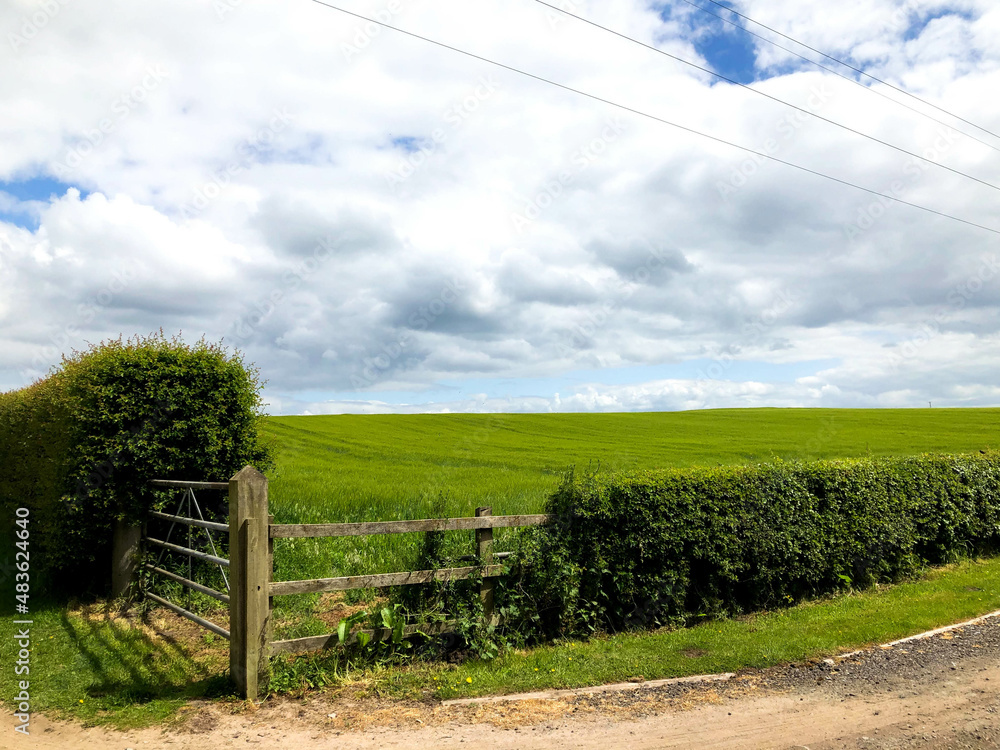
(382, 225)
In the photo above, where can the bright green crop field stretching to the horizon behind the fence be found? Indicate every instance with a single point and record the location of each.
(363, 468)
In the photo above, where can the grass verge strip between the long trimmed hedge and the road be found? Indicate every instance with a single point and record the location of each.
(815, 629)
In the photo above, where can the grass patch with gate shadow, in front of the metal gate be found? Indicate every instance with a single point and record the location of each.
(102, 670)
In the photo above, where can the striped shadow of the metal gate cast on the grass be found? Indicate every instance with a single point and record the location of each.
(132, 668)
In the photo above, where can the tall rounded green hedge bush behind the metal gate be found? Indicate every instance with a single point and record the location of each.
(79, 447)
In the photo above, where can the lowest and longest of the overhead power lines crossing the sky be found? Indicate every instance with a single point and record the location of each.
(626, 108)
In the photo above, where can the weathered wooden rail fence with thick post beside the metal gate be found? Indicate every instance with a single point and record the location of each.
(252, 532)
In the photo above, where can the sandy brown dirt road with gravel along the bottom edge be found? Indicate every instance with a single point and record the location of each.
(941, 692)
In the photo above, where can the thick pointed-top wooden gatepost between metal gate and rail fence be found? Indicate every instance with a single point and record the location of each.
(249, 614)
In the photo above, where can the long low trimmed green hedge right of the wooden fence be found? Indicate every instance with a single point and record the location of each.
(649, 548)
